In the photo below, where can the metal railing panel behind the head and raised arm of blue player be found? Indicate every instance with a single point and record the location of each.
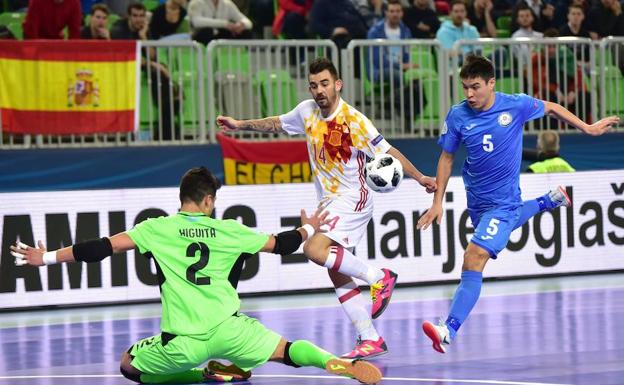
(554, 69)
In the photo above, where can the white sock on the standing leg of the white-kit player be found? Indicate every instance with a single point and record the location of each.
(355, 306)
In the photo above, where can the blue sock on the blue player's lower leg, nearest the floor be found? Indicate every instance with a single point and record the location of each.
(465, 298)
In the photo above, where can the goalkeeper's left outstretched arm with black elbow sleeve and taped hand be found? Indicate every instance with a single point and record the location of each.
(97, 249)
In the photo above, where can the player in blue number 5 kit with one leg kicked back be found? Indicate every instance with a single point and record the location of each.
(490, 125)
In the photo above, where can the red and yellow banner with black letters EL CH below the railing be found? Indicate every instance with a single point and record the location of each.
(247, 162)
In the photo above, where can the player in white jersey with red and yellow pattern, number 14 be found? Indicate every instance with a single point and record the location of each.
(339, 139)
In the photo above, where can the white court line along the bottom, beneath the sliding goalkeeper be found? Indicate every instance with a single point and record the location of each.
(302, 376)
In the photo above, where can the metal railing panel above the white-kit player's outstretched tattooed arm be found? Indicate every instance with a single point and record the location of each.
(255, 79)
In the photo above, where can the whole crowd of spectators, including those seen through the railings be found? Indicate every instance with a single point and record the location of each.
(338, 20)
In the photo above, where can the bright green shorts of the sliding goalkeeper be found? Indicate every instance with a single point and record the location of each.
(240, 339)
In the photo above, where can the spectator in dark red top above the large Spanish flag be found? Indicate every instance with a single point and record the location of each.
(46, 19)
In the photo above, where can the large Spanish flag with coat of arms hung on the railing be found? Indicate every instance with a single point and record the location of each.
(68, 87)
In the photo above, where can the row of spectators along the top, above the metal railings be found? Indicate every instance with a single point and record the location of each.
(340, 20)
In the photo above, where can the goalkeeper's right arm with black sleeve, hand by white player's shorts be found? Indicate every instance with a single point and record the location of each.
(309, 226)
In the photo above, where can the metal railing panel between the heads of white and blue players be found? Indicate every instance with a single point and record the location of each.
(405, 96)
